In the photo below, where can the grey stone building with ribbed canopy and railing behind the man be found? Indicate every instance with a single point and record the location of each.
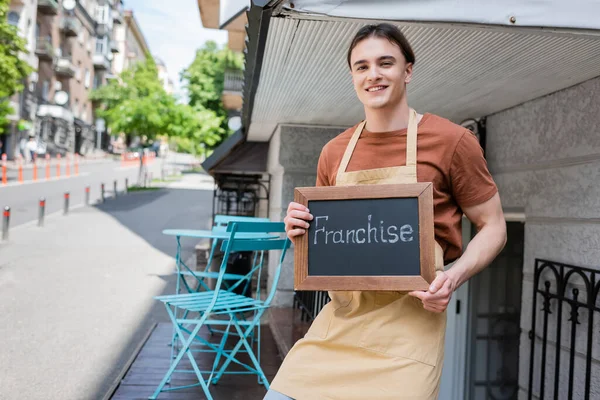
(526, 327)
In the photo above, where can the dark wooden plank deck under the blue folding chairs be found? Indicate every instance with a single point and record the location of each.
(152, 362)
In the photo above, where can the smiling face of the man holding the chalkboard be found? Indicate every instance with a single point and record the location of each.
(379, 73)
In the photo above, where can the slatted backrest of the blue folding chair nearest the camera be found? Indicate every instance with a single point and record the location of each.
(281, 244)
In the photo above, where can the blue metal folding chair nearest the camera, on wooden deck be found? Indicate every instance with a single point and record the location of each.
(224, 308)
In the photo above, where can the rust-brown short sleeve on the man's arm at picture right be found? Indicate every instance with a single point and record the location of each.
(470, 179)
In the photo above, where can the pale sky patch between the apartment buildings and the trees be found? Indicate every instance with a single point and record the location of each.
(173, 31)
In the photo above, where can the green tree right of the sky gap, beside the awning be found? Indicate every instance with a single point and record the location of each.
(204, 80)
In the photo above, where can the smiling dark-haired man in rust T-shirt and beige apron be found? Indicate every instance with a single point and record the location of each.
(390, 345)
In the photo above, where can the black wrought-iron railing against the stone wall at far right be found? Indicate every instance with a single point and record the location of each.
(568, 295)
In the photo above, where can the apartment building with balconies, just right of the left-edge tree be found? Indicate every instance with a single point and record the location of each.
(73, 46)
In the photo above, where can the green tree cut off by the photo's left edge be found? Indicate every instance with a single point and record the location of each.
(13, 70)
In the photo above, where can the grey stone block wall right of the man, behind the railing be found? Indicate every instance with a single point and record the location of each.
(545, 158)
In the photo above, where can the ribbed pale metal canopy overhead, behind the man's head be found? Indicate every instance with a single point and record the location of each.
(462, 70)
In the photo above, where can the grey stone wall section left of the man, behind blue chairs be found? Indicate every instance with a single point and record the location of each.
(293, 156)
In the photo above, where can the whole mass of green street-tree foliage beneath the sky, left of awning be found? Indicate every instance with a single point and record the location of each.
(137, 105)
